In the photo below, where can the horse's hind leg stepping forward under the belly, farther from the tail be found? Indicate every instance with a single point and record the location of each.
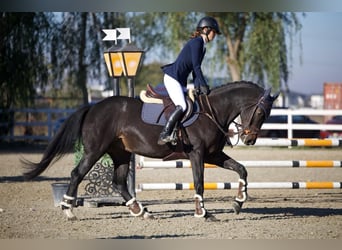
(121, 168)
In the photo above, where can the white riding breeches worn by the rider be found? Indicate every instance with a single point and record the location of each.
(175, 90)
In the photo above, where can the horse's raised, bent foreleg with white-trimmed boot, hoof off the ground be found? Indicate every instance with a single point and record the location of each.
(242, 189)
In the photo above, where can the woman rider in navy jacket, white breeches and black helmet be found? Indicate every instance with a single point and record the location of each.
(176, 74)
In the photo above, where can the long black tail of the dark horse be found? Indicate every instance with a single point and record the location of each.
(62, 143)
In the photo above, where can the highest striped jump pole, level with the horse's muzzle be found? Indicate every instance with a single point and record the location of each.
(283, 142)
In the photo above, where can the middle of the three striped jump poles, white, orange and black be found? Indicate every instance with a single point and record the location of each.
(249, 164)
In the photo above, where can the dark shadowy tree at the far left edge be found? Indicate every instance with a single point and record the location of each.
(23, 64)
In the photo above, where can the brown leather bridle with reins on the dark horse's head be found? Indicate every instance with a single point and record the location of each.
(241, 130)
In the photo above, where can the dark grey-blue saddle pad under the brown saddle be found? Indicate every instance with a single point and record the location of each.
(151, 112)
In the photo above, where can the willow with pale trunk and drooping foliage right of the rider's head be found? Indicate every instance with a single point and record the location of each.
(256, 44)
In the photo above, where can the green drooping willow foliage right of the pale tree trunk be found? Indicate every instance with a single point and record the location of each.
(266, 50)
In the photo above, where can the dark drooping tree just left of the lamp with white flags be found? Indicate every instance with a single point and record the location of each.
(78, 49)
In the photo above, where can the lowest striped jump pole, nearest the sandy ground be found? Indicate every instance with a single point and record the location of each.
(235, 185)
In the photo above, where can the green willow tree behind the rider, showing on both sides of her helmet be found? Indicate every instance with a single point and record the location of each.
(252, 45)
